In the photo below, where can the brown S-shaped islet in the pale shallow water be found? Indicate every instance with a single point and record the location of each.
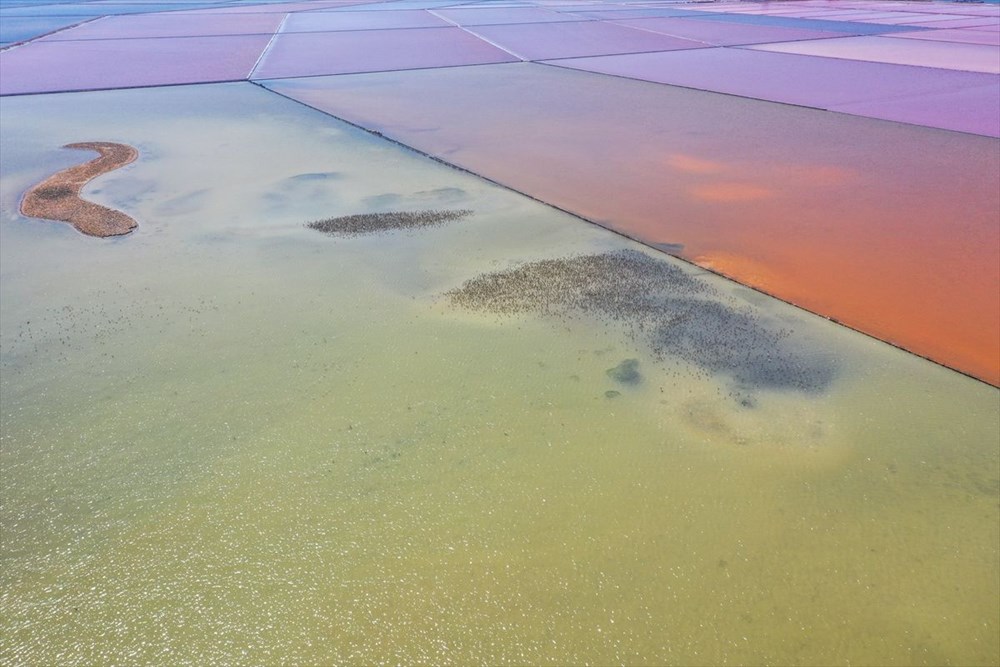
(58, 196)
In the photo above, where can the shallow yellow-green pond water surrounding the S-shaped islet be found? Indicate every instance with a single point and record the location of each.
(231, 438)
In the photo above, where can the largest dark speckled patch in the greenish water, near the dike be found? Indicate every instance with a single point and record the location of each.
(663, 307)
